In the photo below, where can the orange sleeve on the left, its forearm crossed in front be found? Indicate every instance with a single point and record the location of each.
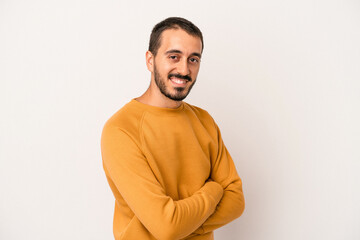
(164, 218)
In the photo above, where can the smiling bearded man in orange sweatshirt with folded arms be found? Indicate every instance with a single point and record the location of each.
(164, 159)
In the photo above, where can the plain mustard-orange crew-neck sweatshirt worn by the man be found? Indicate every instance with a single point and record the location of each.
(170, 173)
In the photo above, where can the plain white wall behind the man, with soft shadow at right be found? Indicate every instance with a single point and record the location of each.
(281, 78)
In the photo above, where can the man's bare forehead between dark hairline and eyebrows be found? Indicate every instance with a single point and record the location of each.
(178, 39)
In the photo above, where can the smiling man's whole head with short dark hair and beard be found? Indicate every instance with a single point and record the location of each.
(174, 57)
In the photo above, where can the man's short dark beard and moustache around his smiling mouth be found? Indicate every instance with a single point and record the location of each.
(180, 92)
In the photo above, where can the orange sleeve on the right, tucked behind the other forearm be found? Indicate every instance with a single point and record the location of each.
(232, 204)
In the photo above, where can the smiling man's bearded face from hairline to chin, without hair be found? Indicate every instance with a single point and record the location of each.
(177, 63)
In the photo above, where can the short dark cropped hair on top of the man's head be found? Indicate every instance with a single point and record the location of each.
(172, 23)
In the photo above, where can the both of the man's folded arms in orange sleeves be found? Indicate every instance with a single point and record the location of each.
(219, 201)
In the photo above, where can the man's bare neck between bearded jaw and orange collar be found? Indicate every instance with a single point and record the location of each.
(154, 97)
